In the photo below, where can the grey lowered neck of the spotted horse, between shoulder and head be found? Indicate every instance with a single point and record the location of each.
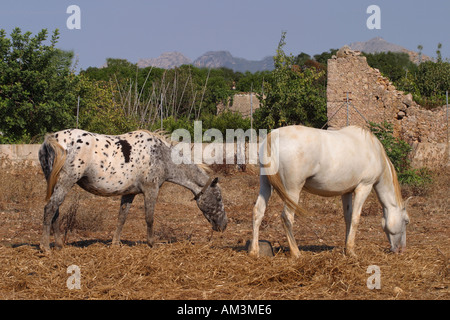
(189, 176)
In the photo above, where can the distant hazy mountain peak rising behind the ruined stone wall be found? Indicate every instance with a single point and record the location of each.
(378, 44)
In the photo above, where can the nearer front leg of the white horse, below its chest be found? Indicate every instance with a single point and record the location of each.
(361, 193)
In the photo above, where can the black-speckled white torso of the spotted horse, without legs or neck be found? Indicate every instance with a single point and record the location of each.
(111, 164)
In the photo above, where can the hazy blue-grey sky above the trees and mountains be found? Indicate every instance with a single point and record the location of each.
(249, 29)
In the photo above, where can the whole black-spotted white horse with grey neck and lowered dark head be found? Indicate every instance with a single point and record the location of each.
(127, 165)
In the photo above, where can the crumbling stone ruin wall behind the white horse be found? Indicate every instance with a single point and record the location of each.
(374, 98)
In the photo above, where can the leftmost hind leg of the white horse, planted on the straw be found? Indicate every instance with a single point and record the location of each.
(265, 190)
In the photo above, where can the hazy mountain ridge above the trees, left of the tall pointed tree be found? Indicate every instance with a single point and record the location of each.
(211, 59)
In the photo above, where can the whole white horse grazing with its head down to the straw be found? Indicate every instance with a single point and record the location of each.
(329, 163)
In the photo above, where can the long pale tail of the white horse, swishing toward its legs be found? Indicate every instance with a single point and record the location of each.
(275, 178)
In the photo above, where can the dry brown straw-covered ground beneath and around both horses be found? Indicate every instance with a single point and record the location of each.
(189, 261)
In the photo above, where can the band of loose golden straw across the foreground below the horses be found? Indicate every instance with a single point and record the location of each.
(203, 271)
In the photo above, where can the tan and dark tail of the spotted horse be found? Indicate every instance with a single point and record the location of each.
(52, 157)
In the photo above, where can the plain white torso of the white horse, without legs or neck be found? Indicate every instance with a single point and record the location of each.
(328, 162)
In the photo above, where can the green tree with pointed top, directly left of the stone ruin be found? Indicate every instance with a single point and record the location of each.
(292, 96)
